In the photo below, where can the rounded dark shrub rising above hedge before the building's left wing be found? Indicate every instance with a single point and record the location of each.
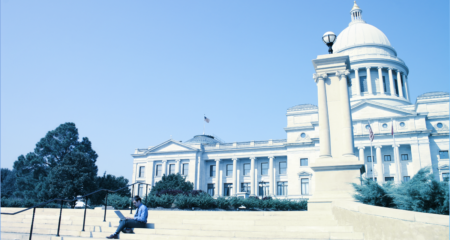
(172, 182)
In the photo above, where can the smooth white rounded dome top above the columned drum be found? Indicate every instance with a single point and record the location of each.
(360, 34)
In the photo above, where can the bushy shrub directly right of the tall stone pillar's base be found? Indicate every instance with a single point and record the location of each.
(372, 193)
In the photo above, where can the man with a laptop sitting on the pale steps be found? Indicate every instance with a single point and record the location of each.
(139, 220)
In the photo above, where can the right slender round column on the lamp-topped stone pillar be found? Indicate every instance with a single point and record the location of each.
(347, 134)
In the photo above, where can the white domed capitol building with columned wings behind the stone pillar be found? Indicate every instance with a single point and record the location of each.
(378, 88)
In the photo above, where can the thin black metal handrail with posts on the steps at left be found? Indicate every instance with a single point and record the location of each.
(85, 205)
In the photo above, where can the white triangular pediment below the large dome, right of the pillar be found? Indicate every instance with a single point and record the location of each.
(365, 109)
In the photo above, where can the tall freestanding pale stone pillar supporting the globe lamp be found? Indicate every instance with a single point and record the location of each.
(333, 174)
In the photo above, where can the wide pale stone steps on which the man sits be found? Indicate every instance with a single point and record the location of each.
(177, 225)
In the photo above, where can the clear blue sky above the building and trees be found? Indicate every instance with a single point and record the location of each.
(130, 74)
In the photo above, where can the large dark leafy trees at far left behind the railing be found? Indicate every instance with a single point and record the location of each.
(60, 166)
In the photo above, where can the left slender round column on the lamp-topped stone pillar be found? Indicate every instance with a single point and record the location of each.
(324, 132)
